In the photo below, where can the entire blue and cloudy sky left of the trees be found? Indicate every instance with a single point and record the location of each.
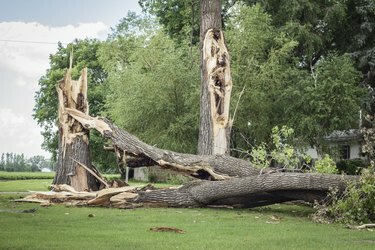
(29, 32)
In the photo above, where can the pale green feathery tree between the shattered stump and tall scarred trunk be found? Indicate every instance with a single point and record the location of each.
(153, 89)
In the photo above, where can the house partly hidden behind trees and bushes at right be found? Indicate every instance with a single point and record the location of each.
(347, 142)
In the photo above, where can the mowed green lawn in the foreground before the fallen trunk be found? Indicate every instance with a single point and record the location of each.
(60, 227)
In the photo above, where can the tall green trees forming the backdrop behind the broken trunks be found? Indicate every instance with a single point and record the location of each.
(308, 65)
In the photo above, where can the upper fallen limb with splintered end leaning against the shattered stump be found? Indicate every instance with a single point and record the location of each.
(215, 167)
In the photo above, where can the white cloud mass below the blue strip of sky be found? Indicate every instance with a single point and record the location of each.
(21, 65)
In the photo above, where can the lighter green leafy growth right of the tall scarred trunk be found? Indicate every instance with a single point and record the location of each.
(278, 91)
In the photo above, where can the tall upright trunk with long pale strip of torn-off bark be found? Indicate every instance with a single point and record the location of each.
(216, 83)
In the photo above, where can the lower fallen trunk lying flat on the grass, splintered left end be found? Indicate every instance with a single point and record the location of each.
(248, 191)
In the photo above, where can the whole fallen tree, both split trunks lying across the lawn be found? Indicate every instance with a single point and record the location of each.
(227, 181)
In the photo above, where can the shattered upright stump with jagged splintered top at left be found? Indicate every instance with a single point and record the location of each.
(73, 137)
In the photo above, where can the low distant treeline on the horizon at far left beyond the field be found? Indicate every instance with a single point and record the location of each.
(12, 162)
